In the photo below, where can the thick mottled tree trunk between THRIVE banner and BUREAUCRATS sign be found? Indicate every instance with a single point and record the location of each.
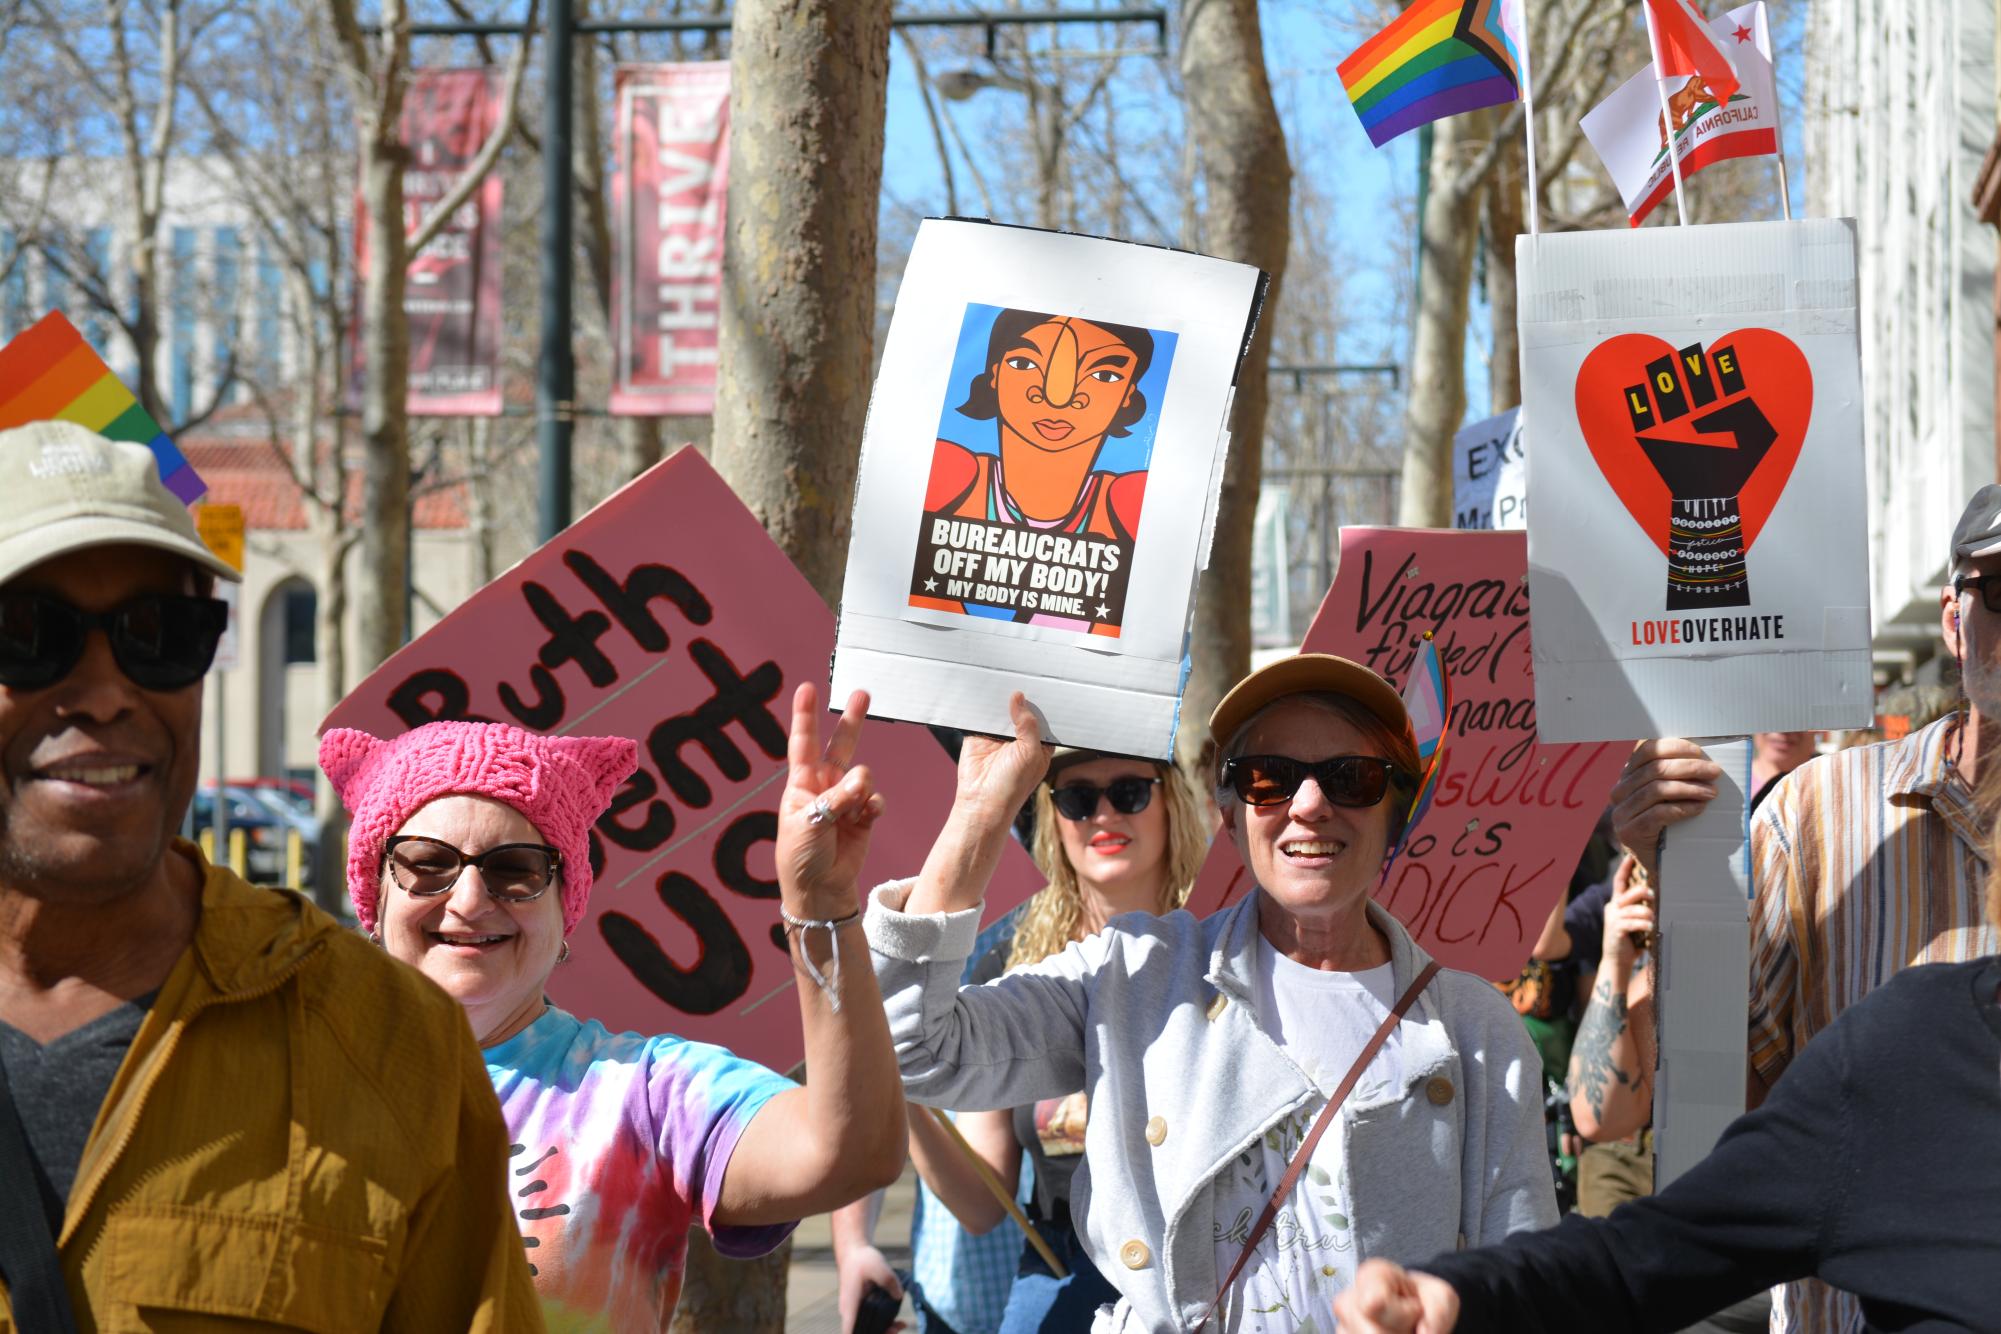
(807, 99)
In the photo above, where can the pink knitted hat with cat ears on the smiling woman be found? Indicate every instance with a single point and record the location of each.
(559, 783)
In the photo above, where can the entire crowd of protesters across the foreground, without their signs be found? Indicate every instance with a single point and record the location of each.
(217, 1105)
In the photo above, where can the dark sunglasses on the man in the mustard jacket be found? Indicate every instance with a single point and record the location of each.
(159, 641)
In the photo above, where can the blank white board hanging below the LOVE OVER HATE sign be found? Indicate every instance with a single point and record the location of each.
(1706, 973)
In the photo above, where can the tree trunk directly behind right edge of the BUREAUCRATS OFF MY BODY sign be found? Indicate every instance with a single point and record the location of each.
(1250, 191)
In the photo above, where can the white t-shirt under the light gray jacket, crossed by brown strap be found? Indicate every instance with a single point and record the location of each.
(1322, 1021)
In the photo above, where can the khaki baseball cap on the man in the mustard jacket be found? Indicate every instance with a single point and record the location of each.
(65, 489)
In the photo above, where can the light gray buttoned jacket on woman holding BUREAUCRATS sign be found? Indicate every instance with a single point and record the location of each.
(1158, 1021)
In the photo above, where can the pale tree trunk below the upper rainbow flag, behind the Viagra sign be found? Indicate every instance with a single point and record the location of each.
(1438, 397)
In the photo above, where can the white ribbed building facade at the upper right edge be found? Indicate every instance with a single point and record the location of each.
(1900, 113)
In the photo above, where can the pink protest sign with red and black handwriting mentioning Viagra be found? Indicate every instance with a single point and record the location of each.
(1510, 819)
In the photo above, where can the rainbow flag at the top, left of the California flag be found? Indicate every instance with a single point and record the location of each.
(1438, 59)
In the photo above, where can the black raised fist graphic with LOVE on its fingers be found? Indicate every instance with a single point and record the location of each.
(1702, 393)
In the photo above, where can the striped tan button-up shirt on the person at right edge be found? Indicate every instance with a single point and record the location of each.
(1868, 861)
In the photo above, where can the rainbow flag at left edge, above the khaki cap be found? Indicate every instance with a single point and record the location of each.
(51, 375)
